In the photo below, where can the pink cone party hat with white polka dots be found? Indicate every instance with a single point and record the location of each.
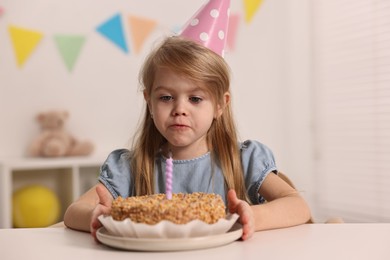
(209, 25)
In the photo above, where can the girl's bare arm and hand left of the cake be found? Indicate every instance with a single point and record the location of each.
(82, 214)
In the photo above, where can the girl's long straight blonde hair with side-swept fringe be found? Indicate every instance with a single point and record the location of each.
(207, 68)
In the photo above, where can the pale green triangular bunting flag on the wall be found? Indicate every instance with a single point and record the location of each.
(69, 47)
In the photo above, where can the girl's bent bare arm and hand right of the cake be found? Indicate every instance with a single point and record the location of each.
(284, 207)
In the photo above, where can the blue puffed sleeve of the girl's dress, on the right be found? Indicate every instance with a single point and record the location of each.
(258, 161)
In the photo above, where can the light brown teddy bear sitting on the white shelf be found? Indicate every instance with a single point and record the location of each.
(54, 140)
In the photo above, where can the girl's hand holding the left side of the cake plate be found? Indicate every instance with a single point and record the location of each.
(103, 207)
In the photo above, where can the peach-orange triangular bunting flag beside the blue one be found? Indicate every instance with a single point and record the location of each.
(140, 30)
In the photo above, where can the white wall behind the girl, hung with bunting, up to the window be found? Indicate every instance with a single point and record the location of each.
(270, 75)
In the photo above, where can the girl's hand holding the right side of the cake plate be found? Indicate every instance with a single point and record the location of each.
(243, 209)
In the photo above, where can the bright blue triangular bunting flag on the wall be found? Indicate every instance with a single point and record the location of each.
(112, 29)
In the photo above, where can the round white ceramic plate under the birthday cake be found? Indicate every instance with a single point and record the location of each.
(169, 244)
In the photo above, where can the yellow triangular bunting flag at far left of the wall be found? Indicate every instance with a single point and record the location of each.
(24, 42)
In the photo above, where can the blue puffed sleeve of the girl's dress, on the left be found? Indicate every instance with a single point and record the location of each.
(115, 173)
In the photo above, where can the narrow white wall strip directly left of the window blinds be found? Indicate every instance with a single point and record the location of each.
(298, 129)
